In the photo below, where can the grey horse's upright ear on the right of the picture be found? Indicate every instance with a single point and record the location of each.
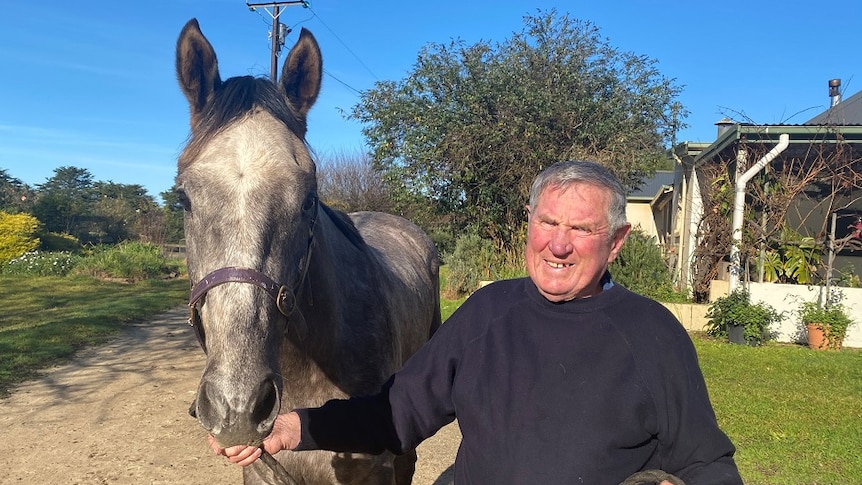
(302, 73)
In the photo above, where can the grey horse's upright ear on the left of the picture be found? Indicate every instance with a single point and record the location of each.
(197, 67)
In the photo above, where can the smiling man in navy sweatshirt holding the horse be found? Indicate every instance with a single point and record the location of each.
(559, 378)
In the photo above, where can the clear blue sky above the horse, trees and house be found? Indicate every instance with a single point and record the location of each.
(92, 84)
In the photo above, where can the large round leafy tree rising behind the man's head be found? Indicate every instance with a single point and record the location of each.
(470, 126)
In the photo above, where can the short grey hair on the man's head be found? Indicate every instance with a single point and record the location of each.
(566, 174)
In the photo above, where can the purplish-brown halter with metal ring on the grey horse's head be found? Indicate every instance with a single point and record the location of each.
(284, 297)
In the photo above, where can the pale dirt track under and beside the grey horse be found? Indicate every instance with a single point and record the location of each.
(118, 414)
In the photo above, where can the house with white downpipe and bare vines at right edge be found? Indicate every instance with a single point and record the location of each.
(705, 172)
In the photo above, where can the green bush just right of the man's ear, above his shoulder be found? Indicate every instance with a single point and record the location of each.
(640, 267)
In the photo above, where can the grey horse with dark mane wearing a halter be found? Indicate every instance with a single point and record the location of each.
(294, 303)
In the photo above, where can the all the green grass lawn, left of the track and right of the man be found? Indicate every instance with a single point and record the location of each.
(794, 414)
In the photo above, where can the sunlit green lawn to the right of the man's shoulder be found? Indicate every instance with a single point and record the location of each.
(794, 414)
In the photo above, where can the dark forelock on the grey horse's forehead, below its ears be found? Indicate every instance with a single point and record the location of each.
(231, 100)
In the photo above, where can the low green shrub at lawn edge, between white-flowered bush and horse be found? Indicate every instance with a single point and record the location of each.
(129, 260)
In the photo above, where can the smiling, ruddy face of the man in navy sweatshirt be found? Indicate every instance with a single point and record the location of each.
(569, 247)
